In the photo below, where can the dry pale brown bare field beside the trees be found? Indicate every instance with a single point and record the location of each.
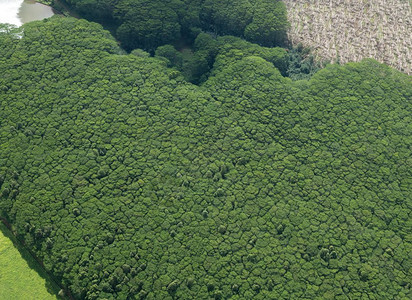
(350, 30)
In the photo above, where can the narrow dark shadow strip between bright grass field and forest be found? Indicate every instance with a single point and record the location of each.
(51, 285)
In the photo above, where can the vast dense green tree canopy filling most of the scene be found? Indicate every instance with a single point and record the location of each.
(131, 183)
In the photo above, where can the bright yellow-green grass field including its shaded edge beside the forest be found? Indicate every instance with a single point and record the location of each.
(21, 276)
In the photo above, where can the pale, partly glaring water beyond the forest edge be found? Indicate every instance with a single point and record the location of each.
(18, 12)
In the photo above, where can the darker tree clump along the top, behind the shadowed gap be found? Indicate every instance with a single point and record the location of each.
(150, 23)
